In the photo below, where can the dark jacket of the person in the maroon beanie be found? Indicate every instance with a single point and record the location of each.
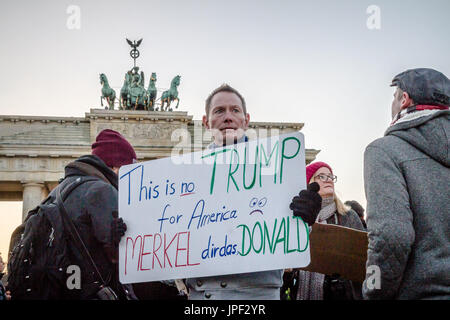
(91, 206)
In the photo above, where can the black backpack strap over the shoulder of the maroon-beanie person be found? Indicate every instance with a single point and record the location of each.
(73, 232)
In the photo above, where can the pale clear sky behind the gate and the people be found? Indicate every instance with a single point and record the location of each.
(324, 63)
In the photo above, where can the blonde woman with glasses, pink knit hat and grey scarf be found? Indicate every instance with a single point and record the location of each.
(317, 286)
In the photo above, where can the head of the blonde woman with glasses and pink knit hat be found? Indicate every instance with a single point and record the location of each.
(322, 173)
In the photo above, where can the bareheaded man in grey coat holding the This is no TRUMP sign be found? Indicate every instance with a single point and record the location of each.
(226, 116)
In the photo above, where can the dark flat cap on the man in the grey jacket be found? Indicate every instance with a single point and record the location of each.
(424, 86)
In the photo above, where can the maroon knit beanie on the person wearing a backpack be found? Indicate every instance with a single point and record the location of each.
(113, 149)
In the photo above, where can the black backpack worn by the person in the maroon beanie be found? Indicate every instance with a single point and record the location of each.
(40, 252)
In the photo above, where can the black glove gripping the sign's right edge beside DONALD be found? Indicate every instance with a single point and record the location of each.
(307, 204)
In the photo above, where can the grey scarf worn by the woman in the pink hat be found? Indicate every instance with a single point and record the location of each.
(310, 284)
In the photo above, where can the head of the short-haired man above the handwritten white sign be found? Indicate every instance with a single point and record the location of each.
(226, 115)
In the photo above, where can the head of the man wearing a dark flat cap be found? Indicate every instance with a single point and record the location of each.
(420, 86)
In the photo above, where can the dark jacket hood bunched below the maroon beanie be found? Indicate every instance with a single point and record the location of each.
(91, 165)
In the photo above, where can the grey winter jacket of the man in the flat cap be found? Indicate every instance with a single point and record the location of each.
(407, 179)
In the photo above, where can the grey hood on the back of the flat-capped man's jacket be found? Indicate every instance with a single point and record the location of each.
(429, 134)
